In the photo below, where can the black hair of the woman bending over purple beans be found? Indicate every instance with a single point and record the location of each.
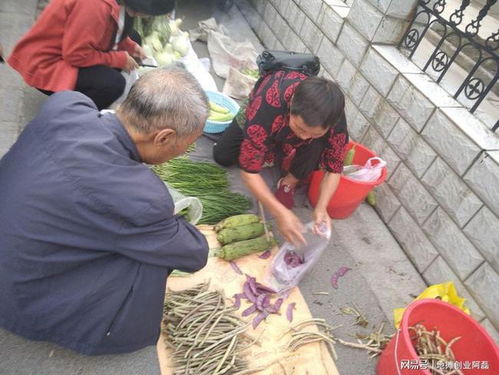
(318, 101)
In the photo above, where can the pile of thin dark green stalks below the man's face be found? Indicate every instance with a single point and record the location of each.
(206, 181)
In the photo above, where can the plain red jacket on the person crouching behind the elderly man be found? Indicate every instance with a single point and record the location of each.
(68, 35)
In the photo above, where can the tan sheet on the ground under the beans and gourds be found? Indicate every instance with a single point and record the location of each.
(272, 354)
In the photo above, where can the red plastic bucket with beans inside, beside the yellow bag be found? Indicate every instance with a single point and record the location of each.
(475, 347)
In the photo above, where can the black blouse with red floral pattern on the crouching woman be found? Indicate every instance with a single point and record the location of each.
(267, 135)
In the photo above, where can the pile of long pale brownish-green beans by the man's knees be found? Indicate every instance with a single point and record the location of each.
(205, 336)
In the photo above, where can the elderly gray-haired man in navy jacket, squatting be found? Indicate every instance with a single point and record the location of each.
(87, 231)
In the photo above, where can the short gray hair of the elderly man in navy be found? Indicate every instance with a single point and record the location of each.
(166, 98)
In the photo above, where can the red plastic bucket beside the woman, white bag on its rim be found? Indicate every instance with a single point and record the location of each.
(350, 193)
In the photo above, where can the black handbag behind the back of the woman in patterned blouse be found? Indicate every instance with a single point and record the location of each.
(306, 63)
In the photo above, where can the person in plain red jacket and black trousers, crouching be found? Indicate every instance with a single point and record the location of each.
(82, 45)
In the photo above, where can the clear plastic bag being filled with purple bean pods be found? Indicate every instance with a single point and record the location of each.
(291, 264)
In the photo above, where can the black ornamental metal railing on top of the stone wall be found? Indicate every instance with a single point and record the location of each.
(462, 39)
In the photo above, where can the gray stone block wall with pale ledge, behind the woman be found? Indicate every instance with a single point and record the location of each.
(441, 200)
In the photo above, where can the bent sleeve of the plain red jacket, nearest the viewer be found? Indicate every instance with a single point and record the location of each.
(80, 38)
